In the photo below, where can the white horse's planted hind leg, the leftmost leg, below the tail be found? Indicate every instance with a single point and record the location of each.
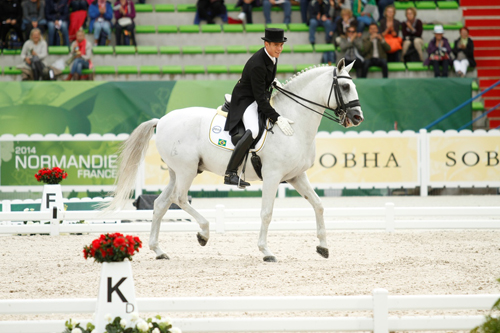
(161, 205)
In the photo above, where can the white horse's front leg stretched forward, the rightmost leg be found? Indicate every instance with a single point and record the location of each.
(302, 185)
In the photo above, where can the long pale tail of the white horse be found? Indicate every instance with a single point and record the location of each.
(132, 153)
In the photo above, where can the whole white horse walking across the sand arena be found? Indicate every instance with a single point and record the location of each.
(181, 140)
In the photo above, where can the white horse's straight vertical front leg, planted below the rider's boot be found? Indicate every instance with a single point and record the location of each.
(269, 190)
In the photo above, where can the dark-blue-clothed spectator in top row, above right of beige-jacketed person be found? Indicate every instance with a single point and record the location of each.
(57, 15)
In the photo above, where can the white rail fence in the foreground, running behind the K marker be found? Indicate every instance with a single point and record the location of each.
(379, 303)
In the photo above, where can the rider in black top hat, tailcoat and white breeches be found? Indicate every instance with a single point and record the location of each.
(250, 96)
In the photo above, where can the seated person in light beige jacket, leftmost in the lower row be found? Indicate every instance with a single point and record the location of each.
(33, 53)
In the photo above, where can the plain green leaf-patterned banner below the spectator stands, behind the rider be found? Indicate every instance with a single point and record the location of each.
(119, 107)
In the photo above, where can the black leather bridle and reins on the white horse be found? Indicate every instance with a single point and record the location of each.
(339, 113)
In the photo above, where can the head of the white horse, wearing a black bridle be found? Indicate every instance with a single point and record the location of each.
(348, 106)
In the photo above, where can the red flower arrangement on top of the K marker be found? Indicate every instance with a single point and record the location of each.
(112, 248)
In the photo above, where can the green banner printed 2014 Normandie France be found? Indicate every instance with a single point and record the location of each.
(86, 162)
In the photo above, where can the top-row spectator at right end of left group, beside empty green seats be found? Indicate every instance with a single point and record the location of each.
(125, 26)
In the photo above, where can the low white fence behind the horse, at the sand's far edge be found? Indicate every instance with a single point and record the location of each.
(222, 219)
